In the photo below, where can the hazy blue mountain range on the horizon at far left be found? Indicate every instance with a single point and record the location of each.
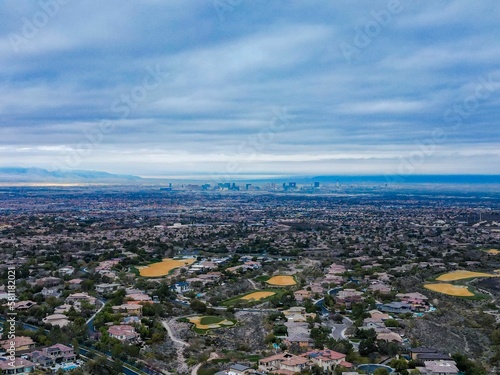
(32, 175)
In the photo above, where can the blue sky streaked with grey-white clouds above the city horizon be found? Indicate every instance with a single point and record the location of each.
(262, 87)
